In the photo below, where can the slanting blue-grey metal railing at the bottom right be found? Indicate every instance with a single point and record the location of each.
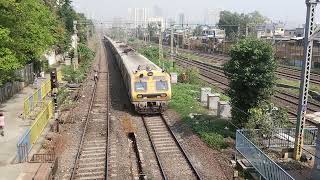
(267, 168)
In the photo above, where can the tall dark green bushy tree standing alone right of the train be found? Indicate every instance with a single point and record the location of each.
(251, 72)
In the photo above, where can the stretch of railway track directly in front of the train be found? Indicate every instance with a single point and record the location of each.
(172, 160)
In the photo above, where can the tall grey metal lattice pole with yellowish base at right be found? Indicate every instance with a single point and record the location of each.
(310, 33)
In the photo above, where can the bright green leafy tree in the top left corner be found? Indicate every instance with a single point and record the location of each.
(33, 28)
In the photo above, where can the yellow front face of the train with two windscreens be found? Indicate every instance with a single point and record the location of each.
(151, 91)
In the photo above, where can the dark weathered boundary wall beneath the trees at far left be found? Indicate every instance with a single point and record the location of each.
(11, 88)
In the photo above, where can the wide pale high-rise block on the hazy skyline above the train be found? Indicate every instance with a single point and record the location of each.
(138, 16)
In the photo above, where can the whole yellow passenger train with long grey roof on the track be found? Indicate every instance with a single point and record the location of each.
(148, 86)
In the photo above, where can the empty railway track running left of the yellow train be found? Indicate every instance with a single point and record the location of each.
(91, 158)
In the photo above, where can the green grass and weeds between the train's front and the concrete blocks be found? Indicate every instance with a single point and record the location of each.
(210, 129)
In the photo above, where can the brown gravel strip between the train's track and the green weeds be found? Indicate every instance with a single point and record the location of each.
(211, 163)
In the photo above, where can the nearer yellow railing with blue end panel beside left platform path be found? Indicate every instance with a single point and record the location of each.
(32, 134)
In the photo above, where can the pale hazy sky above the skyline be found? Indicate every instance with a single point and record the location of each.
(292, 12)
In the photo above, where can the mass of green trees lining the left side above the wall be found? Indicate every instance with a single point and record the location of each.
(29, 28)
